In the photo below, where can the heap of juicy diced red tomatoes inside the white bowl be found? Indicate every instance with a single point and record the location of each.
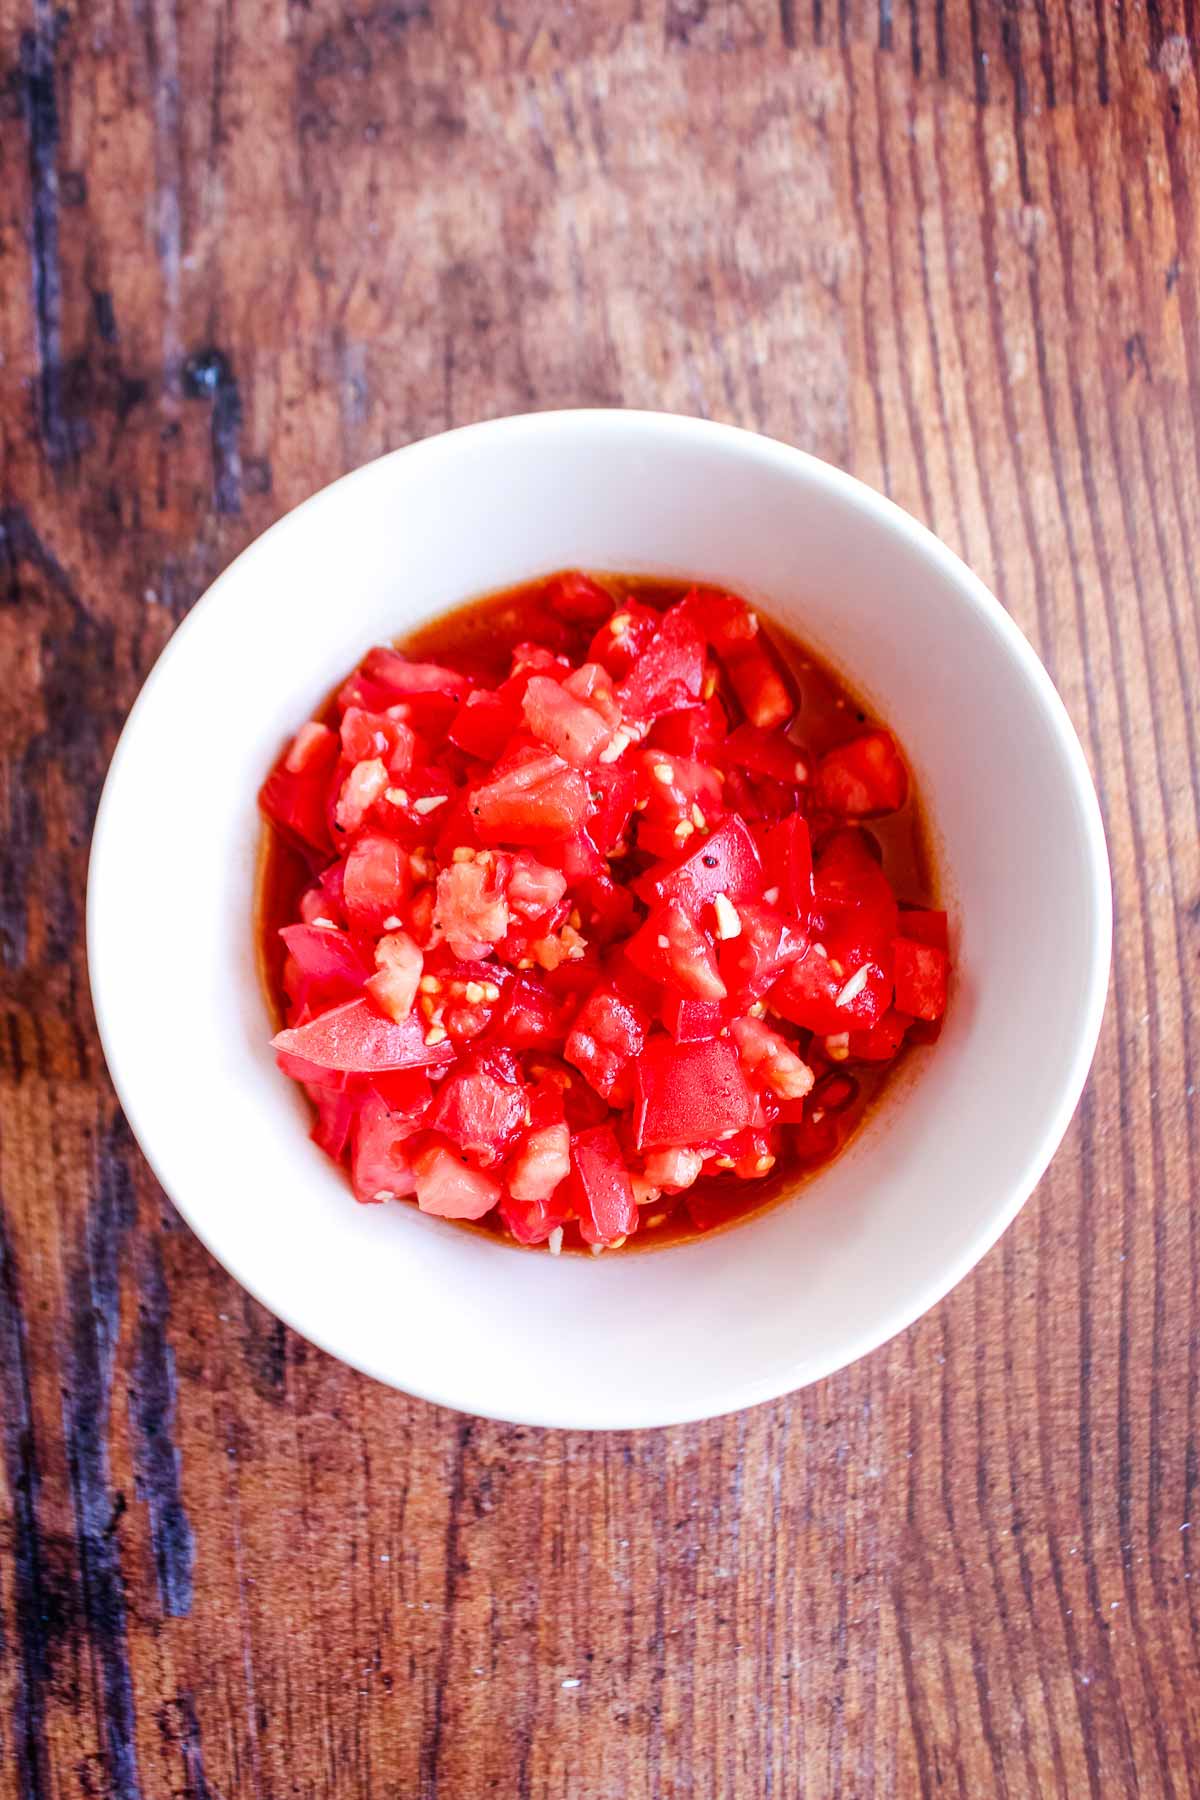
(586, 928)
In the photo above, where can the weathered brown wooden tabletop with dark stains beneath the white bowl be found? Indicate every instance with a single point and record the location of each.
(246, 247)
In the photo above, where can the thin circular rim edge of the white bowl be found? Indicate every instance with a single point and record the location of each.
(821, 476)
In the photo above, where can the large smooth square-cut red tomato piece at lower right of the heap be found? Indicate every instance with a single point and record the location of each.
(688, 1093)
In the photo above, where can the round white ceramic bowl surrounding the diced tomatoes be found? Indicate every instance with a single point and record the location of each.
(724, 1322)
